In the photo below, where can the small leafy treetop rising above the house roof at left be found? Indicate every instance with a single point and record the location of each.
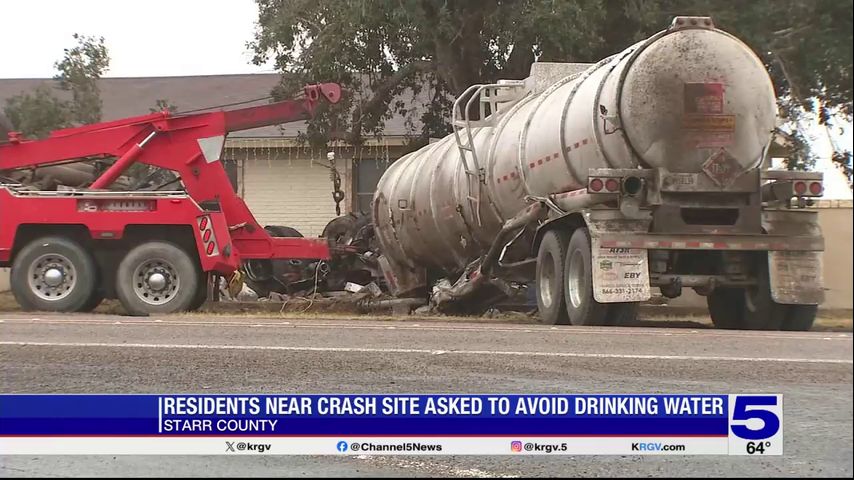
(79, 71)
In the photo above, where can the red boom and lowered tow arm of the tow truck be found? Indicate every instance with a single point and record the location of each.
(190, 145)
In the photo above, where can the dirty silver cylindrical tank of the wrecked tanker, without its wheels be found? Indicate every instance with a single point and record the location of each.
(692, 106)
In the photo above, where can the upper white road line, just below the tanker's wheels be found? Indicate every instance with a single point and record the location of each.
(633, 331)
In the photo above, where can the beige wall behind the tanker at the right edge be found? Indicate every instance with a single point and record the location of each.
(835, 218)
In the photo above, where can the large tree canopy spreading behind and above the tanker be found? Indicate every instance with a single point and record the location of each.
(379, 49)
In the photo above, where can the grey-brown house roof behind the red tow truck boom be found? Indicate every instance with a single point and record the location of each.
(127, 97)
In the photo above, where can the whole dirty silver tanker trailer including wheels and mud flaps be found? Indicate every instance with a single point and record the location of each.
(599, 182)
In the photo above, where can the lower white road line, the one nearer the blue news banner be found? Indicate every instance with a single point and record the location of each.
(431, 352)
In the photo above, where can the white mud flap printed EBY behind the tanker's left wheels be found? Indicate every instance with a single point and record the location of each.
(619, 274)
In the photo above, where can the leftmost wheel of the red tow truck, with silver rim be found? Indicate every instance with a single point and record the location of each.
(31, 285)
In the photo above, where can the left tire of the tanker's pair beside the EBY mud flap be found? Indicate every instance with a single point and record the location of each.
(550, 284)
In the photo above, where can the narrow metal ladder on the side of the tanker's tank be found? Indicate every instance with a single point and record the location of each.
(488, 97)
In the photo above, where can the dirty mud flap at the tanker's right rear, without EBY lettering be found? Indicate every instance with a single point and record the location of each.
(796, 277)
